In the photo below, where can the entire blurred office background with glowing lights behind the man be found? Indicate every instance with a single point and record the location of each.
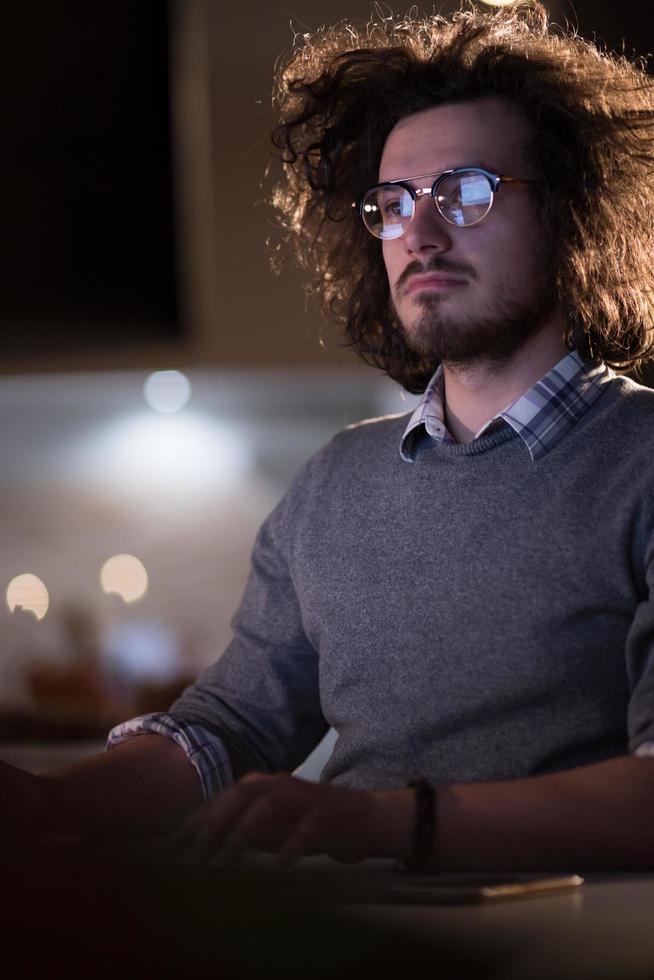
(159, 387)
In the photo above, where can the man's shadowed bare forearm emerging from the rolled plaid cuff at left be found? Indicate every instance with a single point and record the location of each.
(143, 787)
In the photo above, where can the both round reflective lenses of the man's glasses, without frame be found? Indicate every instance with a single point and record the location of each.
(463, 199)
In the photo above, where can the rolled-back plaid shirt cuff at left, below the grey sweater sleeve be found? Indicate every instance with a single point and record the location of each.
(204, 750)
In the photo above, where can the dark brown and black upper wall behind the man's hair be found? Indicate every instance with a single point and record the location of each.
(133, 219)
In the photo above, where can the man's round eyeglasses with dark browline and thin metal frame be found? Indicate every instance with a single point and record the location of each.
(463, 197)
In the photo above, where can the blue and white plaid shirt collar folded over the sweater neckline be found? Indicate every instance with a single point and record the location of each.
(541, 417)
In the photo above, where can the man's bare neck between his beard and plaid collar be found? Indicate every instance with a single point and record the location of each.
(475, 393)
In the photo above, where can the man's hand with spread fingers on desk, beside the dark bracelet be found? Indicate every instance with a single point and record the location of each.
(292, 818)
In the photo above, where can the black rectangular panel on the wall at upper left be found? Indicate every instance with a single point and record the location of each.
(87, 242)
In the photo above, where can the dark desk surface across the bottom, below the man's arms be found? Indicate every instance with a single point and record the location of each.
(71, 913)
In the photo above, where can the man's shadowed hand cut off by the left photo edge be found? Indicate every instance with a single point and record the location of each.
(26, 805)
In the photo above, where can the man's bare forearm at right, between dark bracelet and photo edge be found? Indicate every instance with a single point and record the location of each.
(596, 816)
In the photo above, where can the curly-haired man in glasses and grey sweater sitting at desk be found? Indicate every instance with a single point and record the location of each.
(464, 595)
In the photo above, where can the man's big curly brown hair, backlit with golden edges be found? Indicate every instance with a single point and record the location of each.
(341, 92)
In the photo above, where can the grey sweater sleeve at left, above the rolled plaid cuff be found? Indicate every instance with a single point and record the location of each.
(261, 697)
